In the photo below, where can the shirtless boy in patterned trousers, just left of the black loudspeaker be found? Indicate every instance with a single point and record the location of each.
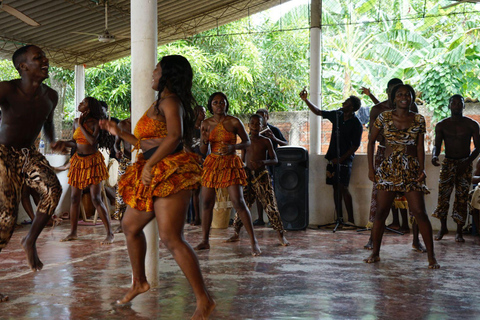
(259, 184)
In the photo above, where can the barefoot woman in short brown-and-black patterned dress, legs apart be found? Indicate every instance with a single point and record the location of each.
(403, 169)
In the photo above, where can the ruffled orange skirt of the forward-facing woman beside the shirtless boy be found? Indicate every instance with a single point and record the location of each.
(223, 171)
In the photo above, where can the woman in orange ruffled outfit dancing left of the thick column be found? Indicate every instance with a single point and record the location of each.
(87, 165)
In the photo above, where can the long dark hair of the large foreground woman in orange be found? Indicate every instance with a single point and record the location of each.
(177, 77)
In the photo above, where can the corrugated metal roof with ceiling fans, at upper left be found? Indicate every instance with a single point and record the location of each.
(69, 29)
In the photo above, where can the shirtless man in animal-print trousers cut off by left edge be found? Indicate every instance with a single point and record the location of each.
(27, 107)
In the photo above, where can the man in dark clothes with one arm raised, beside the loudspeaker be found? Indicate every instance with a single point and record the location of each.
(350, 135)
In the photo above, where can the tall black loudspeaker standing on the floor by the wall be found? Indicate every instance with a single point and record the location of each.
(291, 187)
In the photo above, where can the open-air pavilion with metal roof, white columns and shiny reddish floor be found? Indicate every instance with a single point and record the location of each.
(320, 276)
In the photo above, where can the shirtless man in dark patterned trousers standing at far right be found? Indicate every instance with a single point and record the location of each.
(456, 132)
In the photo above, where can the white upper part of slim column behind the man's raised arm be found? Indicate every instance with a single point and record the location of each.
(315, 75)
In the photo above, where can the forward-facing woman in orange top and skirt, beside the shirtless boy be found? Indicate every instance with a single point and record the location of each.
(223, 168)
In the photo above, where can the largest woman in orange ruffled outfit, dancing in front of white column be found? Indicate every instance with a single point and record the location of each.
(160, 183)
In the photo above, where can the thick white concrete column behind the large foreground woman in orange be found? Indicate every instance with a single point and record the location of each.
(143, 25)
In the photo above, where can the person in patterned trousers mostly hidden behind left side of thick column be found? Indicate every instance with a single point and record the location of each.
(124, 160)
